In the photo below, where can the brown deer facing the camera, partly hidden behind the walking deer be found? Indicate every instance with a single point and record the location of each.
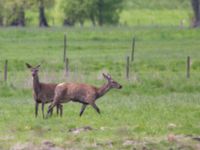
(42, 92)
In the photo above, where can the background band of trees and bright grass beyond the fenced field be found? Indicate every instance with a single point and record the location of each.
(93, 12)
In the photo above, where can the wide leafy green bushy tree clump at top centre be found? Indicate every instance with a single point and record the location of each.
(98, 11)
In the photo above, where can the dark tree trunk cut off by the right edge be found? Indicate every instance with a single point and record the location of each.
(196, 9)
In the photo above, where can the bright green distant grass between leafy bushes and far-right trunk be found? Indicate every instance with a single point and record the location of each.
(148, 17)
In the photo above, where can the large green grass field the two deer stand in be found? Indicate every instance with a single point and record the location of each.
(157, 100)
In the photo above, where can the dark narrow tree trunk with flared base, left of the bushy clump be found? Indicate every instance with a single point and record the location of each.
(42, 17)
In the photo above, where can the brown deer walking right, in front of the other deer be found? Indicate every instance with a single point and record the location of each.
(82, 93)
